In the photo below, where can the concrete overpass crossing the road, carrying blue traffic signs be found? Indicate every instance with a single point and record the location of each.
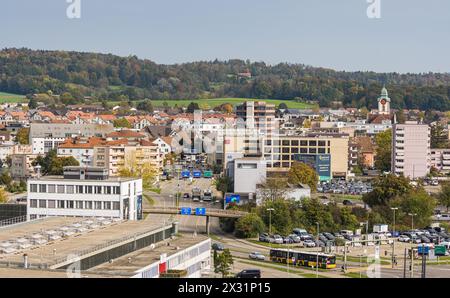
(209, 213)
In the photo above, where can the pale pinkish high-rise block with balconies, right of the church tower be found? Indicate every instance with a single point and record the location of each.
(411, 149)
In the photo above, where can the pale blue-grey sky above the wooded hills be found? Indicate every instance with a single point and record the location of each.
(409, 36)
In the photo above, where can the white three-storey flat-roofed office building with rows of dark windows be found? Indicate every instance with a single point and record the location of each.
(85, 192)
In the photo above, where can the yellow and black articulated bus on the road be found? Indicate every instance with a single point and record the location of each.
(306, 259)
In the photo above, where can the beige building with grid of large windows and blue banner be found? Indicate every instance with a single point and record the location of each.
(327, 153)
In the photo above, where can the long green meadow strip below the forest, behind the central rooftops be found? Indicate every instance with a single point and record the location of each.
(212, 103)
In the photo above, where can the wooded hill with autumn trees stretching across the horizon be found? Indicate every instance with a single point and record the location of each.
(106, 76)
